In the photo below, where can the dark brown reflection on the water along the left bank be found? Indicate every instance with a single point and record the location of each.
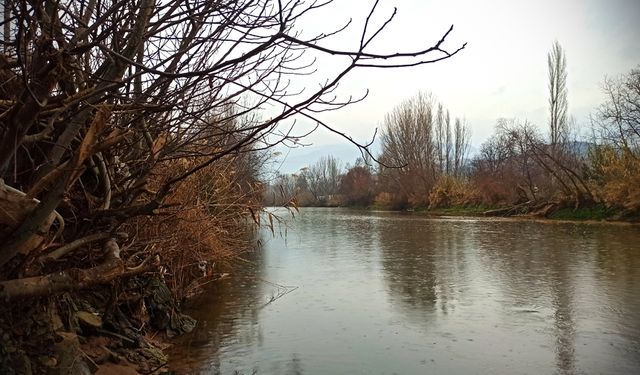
(228, 313)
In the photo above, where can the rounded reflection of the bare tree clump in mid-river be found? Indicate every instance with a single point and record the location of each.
(424, 264)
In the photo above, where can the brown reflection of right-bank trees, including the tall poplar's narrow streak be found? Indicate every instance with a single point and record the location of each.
(544, 265)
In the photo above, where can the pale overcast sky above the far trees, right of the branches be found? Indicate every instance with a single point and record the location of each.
(501, 73)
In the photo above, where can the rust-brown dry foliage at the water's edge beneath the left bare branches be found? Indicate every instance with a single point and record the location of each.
(208, 224)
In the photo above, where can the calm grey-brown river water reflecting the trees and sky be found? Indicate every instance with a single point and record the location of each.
(348, 292)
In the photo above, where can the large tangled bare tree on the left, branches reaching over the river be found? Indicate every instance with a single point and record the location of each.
(100, 99)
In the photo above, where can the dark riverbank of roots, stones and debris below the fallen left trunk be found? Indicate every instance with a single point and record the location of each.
(91, 332)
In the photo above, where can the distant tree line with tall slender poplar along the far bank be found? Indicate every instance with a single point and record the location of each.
(520, 169)
